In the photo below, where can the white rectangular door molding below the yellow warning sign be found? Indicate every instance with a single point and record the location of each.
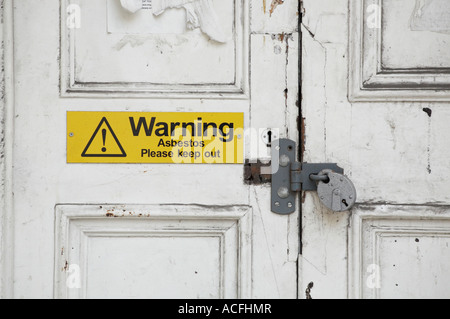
(78, 226)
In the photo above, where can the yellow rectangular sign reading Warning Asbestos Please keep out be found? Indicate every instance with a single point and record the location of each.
(146, 137)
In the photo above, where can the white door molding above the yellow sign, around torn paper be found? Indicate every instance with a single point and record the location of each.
(72, 86)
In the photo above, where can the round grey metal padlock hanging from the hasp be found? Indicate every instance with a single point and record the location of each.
(337, 193)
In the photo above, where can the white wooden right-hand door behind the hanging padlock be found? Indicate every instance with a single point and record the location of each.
(376, 93)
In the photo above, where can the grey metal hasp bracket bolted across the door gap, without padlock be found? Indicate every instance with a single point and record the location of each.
(290, 176)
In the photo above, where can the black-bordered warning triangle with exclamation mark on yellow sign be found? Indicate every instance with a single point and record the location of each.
(103, 151)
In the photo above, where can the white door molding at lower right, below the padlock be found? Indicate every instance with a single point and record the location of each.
(372, 224)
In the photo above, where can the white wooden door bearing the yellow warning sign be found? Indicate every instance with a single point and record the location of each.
(144, 230)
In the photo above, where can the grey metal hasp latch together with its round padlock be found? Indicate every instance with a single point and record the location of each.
(290, 177)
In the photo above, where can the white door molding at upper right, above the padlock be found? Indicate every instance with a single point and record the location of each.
(370, 80)
